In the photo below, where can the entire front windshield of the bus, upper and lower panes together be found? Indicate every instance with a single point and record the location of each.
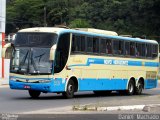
(31, 54)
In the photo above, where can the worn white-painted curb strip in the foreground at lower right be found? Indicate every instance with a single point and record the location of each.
(145, 108)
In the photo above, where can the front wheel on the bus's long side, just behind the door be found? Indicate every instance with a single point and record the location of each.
(70, 90)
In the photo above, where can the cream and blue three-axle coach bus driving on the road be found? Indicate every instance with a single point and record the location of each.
(60, 60)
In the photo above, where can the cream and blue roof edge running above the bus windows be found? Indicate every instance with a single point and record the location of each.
(84, 32)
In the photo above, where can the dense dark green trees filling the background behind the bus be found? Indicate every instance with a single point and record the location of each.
(135, 17)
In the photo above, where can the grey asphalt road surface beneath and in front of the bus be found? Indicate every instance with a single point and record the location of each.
(17, 101)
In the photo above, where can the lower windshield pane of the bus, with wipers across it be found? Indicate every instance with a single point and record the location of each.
(27, 60)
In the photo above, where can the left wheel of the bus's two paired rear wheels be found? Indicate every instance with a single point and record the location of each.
(131, 88)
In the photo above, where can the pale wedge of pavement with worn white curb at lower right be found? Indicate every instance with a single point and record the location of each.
(138, 104)
